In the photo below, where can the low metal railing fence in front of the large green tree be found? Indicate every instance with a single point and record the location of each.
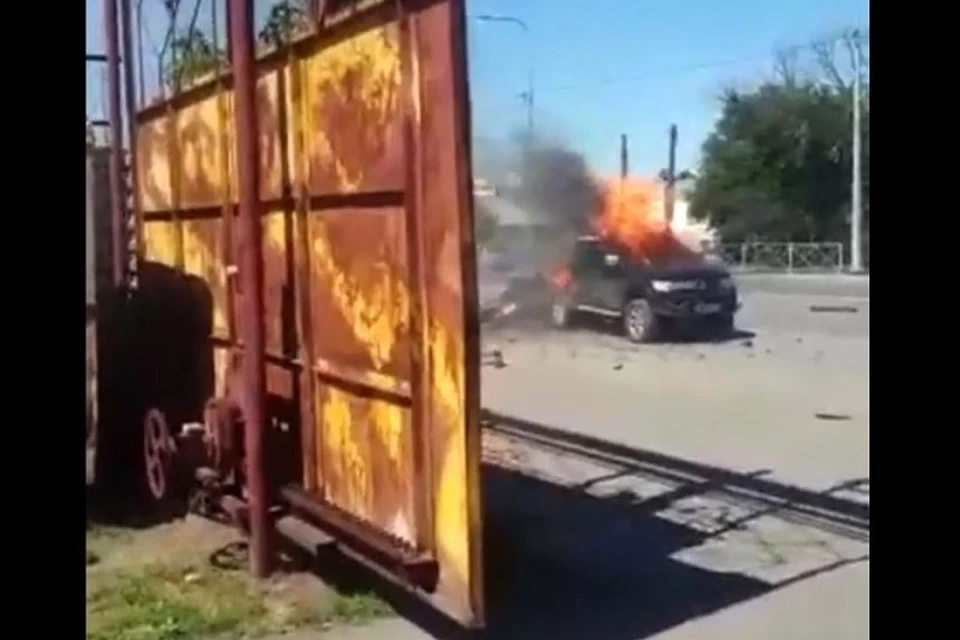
(793, 257)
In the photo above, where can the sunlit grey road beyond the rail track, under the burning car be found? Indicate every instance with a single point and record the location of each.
(751, 400)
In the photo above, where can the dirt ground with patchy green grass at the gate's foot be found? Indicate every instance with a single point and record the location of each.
(188, 578)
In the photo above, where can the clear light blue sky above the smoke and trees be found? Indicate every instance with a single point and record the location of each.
(604, 67)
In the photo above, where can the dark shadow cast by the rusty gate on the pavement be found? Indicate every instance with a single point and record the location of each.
(563, 564)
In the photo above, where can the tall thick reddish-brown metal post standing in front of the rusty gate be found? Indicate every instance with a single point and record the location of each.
(250, 260)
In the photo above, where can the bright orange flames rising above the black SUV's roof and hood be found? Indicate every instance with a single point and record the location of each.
(631, 216)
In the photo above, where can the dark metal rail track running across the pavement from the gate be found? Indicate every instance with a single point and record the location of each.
(827, 510)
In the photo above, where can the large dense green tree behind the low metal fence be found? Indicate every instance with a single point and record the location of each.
(778, 163)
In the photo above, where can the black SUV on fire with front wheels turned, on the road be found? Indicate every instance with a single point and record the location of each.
(647, 296)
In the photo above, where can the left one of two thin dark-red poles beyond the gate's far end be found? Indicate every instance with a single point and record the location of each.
(116, 138)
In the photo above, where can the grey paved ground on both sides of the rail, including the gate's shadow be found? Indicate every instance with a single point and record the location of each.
(610, 554)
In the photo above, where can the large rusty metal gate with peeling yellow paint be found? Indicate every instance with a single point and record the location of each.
(369, 294)
